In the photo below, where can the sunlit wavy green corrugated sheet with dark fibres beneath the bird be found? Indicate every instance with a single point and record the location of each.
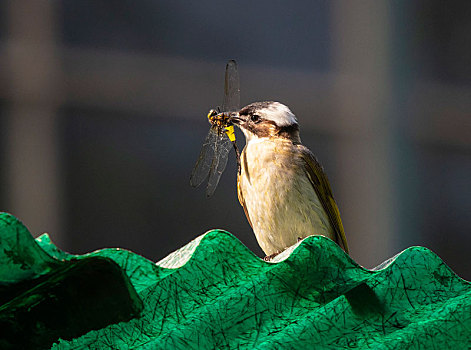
(214, 293)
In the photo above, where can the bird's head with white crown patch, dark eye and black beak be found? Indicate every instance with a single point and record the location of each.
(267, 120)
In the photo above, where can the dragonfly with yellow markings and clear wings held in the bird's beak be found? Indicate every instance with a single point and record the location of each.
(221, 138)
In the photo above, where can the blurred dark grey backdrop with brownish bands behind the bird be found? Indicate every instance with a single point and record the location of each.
(103, 112)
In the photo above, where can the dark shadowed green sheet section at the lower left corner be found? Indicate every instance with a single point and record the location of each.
(43, 298)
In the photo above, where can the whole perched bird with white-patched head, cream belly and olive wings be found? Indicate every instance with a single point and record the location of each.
(281, 186)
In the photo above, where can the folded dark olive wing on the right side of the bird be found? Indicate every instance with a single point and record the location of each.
(321, 186)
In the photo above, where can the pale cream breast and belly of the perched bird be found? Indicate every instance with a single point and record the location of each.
(280, 200)
